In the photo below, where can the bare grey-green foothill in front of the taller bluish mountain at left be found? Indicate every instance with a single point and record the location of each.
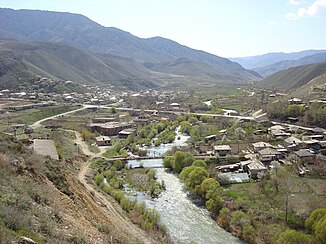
(21, 61)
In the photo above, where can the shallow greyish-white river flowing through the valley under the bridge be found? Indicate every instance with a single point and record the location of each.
(185, 220)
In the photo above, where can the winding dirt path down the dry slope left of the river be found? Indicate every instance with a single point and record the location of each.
(120, 222)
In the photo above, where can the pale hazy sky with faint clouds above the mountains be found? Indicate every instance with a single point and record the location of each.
(228, 28)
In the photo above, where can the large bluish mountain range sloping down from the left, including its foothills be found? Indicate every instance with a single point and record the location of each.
(73, 47)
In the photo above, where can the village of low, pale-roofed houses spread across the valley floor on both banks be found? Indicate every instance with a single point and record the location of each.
(271, 145)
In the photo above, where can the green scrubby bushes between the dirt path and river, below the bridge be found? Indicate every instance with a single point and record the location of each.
(113, 178)
